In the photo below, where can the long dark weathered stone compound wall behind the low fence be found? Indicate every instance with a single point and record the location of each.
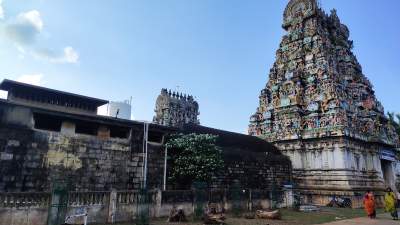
(32, 158)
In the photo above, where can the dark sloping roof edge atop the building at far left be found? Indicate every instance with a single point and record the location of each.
(14, 86)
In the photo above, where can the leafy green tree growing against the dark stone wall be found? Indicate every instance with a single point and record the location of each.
(194, 157)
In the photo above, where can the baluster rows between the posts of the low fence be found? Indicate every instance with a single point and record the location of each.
(28, 199)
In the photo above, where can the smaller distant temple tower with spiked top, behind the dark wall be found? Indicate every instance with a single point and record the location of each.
(176, 109)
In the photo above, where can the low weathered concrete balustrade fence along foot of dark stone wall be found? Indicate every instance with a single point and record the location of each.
(124, 206)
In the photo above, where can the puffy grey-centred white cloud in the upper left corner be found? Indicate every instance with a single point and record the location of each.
(24, 29)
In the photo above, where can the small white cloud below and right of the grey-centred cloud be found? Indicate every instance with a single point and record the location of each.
(68, 55)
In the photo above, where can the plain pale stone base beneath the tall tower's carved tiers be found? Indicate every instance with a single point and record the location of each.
(342, 167)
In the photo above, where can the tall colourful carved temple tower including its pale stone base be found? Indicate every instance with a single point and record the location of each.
(320, 109)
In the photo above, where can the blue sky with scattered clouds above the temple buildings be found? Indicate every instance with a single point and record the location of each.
(217, 50)
